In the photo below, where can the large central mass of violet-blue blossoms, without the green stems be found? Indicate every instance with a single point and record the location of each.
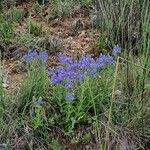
(71, 71)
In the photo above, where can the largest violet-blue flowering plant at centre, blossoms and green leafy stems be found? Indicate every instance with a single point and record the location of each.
(77, 83)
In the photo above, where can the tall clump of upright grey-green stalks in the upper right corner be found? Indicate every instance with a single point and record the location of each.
(123, 22)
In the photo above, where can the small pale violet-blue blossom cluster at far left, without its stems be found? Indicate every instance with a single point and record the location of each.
(36, 55)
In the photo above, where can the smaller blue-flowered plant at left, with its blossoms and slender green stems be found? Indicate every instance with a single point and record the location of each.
(36, 81)
